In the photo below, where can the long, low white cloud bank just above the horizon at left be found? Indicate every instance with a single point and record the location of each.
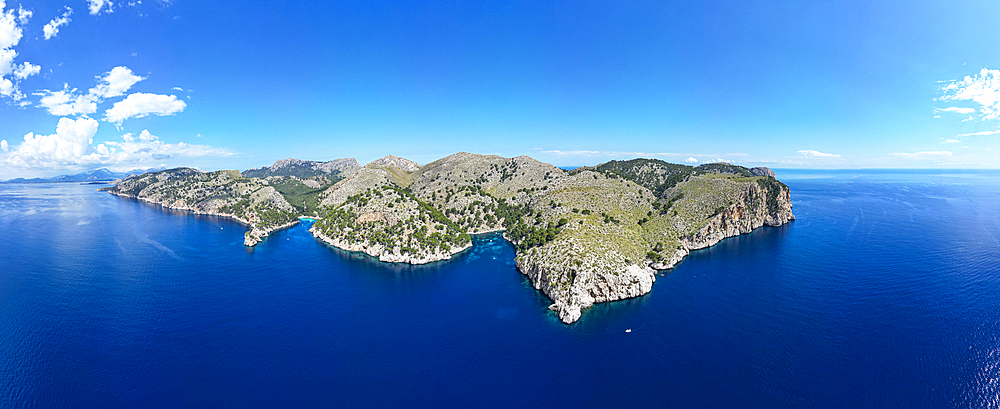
(72, 146)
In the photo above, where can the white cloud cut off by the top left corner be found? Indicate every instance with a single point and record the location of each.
(11, 22)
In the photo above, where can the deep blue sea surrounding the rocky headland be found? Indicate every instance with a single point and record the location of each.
(884, 293)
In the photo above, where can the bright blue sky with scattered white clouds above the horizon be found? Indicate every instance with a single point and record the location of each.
(233, 85)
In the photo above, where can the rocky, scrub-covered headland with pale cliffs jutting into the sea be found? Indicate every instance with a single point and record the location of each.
(590, 235)
